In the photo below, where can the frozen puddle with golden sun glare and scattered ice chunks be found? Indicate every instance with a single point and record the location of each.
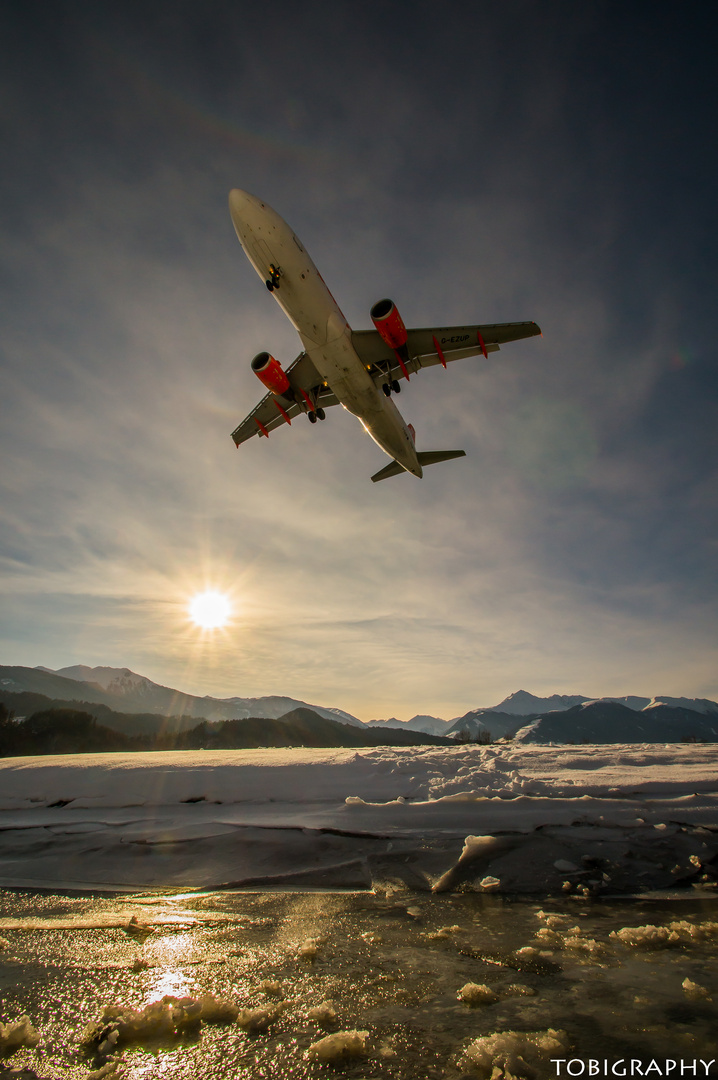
(387, 984)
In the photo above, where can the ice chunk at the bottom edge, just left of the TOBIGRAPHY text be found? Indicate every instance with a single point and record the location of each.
(514, 1055)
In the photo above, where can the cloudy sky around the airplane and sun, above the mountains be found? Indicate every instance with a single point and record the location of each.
(477, 163)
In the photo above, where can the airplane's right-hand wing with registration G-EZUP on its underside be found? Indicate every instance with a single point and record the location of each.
(424, 346)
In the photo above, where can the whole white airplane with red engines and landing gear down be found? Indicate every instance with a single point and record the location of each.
(360, 370)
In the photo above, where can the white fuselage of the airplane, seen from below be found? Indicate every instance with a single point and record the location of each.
(326, 334)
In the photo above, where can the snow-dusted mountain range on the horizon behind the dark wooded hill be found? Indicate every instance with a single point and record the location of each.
(554, 719)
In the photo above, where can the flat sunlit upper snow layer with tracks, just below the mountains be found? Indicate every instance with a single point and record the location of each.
(364, 777)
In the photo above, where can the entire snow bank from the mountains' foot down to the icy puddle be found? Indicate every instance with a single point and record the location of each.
(316, 818)
